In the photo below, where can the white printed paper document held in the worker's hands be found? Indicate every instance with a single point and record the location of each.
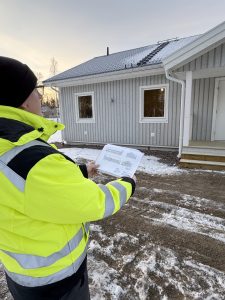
(119, 161)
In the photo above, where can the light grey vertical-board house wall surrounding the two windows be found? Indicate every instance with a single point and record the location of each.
(118, 122)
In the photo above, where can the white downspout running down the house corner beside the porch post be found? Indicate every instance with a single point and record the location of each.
(182, 82)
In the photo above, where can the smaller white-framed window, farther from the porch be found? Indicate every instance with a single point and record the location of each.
(85, 107)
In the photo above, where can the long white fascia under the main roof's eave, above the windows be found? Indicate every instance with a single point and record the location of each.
(104, 77)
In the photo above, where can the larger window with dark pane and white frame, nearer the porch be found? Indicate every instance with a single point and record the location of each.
(153, 104)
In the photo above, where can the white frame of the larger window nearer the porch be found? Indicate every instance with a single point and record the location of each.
(163, 119)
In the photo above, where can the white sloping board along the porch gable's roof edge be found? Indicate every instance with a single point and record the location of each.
(204, 43)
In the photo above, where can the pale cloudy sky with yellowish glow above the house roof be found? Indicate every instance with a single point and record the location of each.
(74, 31)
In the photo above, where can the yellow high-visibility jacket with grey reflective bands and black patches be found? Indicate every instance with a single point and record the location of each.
(46, 202)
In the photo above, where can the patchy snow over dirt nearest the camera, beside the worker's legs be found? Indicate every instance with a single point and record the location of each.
(151, 266)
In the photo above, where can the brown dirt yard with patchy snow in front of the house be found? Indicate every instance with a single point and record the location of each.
(167, 242)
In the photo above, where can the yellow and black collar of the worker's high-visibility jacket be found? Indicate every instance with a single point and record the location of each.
(19, 127)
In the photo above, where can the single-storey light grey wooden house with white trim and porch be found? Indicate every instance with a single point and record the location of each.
(170, 94)
